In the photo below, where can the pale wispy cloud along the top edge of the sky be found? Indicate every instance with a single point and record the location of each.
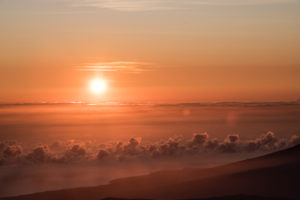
(146, 5)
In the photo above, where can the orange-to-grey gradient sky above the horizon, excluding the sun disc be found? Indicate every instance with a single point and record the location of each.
(150, 50)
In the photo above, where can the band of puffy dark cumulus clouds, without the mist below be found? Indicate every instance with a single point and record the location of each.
(135, 149)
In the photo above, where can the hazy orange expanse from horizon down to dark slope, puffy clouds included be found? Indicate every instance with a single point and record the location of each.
(53, 146)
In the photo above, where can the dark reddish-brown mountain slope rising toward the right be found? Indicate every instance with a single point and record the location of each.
(274, 175)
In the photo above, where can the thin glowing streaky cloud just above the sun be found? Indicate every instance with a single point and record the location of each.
(117, 66)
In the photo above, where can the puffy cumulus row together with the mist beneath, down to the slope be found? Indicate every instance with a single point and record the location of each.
(68, 164)
